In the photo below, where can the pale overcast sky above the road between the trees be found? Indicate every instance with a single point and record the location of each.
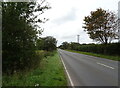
(66, 18)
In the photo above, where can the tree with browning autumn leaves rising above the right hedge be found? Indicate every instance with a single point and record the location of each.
(101, 25)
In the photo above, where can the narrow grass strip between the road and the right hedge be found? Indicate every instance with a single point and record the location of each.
(116, 58)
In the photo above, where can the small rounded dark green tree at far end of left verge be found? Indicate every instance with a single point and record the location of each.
(48, 43)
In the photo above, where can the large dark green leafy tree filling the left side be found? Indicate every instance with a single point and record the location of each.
(19, 30)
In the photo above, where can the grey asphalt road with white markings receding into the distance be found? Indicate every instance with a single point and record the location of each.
(85, 70)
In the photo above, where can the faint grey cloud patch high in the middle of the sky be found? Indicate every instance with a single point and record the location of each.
(70, 16)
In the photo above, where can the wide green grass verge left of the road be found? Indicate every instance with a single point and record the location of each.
(49, 73)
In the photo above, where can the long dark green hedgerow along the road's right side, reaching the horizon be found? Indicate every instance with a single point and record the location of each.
(106, 49)
